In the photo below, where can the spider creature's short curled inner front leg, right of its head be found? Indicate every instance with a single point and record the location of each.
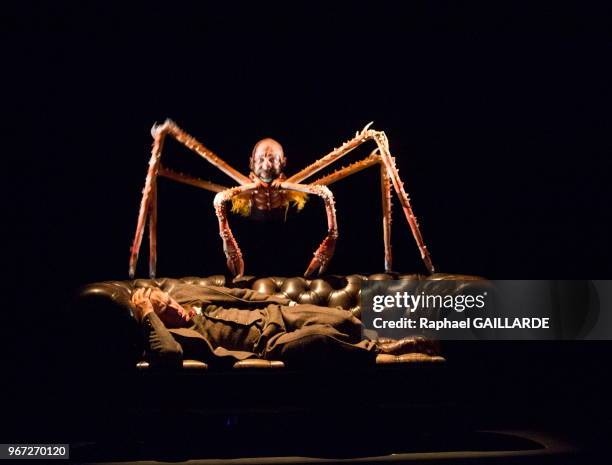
(326, 249)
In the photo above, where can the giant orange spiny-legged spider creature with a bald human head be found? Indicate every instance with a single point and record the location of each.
(267, 188)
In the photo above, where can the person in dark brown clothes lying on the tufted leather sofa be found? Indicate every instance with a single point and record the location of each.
(220, 325)
